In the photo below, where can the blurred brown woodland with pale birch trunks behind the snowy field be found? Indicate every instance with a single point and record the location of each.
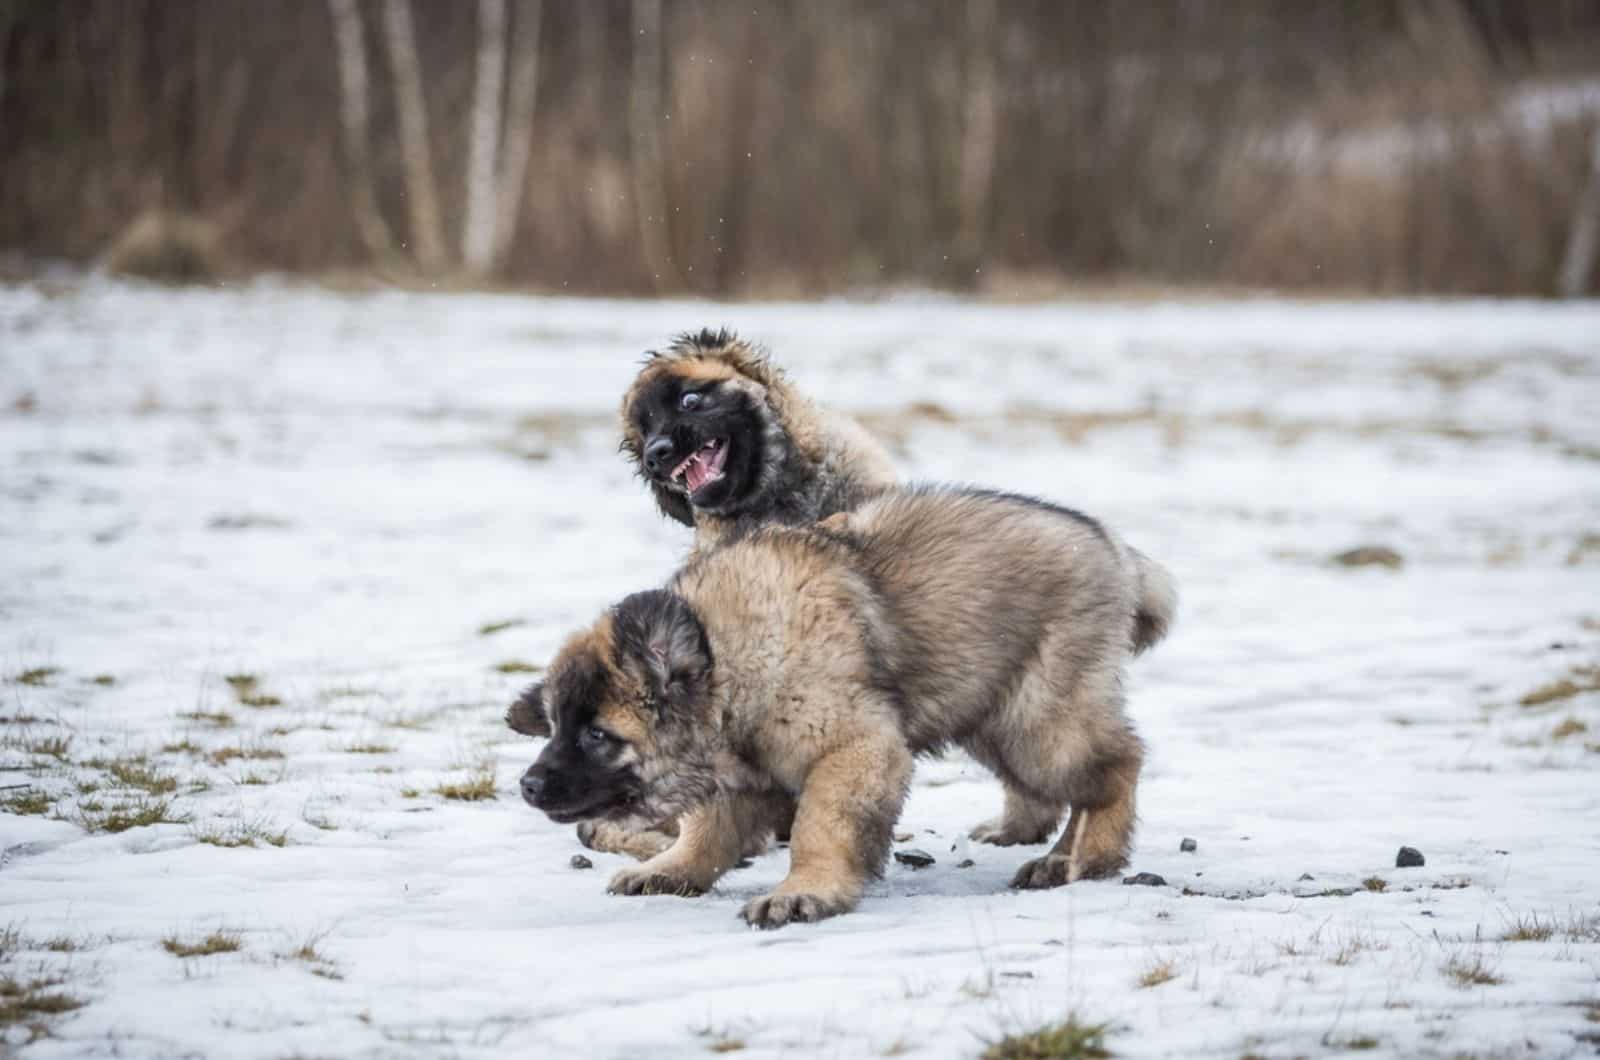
(1012, 148)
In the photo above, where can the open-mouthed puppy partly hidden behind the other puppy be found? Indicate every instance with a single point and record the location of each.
(726, 444)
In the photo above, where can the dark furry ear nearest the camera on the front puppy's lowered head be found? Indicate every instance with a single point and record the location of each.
(663, 644)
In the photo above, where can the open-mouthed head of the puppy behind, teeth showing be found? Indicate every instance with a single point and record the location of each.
(702, 428)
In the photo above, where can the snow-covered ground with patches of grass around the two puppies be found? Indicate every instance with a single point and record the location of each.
(342, 497)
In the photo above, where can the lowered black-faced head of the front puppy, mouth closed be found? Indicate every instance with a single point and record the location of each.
(626, 704)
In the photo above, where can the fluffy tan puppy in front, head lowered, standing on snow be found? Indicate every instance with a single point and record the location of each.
(806, 667)
